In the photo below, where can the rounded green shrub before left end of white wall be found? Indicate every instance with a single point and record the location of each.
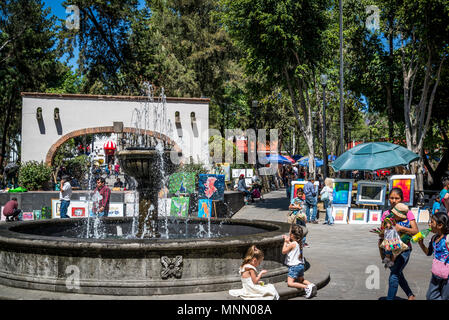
(34, 175)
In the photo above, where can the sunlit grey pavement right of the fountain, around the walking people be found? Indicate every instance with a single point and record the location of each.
(348, 252)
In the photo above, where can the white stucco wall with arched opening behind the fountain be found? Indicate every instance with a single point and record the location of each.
(49, 120)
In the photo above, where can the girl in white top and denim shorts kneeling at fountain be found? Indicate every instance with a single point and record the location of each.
(295, 262)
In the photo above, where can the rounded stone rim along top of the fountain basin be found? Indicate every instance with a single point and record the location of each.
(13, 240)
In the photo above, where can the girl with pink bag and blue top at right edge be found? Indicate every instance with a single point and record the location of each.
(438, 287)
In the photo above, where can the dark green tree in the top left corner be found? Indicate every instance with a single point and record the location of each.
(28, 61)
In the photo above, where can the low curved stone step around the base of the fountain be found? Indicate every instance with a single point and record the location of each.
(317, 274)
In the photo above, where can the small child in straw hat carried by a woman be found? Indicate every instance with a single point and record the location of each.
(398, 214)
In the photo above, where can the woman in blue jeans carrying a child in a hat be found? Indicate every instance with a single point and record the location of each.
(409, 227)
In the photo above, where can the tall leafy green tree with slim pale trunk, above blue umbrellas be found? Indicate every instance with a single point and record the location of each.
(284, 41)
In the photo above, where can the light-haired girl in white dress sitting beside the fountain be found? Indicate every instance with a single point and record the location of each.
(253, 288)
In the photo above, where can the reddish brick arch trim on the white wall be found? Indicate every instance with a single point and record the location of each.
(109, 129)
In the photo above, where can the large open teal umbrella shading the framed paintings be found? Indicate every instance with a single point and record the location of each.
(373, 156)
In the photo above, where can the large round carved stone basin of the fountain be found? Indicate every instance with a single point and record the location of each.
(31, 260)
